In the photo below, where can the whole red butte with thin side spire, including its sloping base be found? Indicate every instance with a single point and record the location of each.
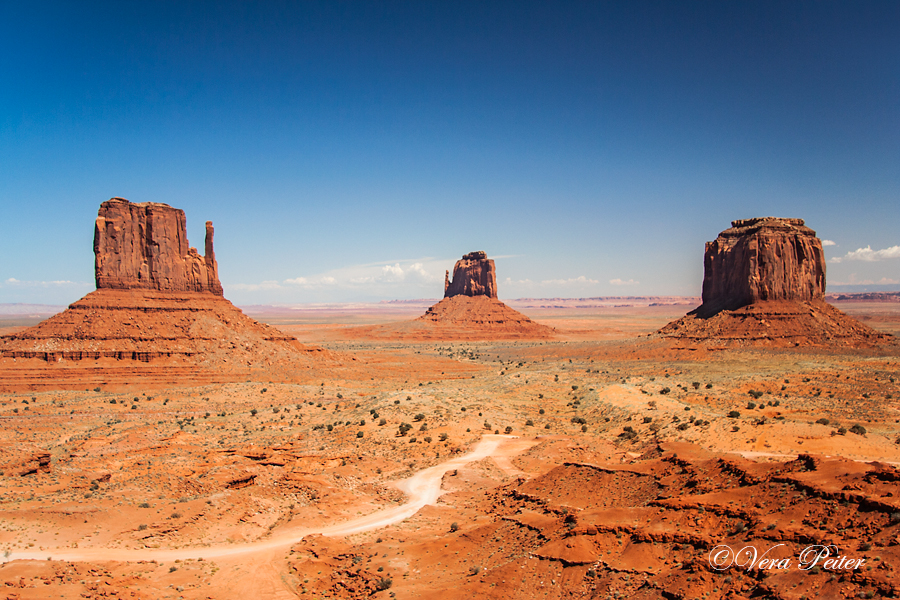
(158, 312)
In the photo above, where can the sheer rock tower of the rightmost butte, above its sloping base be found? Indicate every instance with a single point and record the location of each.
(760, 260)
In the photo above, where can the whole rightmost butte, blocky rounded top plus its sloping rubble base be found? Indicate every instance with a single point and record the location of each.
(764, 283)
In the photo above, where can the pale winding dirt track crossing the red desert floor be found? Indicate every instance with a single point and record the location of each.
(421, 489)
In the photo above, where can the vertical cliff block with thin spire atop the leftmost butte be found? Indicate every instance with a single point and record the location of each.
(144, 246)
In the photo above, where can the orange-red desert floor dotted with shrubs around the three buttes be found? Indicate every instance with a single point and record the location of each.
(143, 490)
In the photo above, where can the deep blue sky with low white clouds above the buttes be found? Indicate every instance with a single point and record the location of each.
(352, 151)
